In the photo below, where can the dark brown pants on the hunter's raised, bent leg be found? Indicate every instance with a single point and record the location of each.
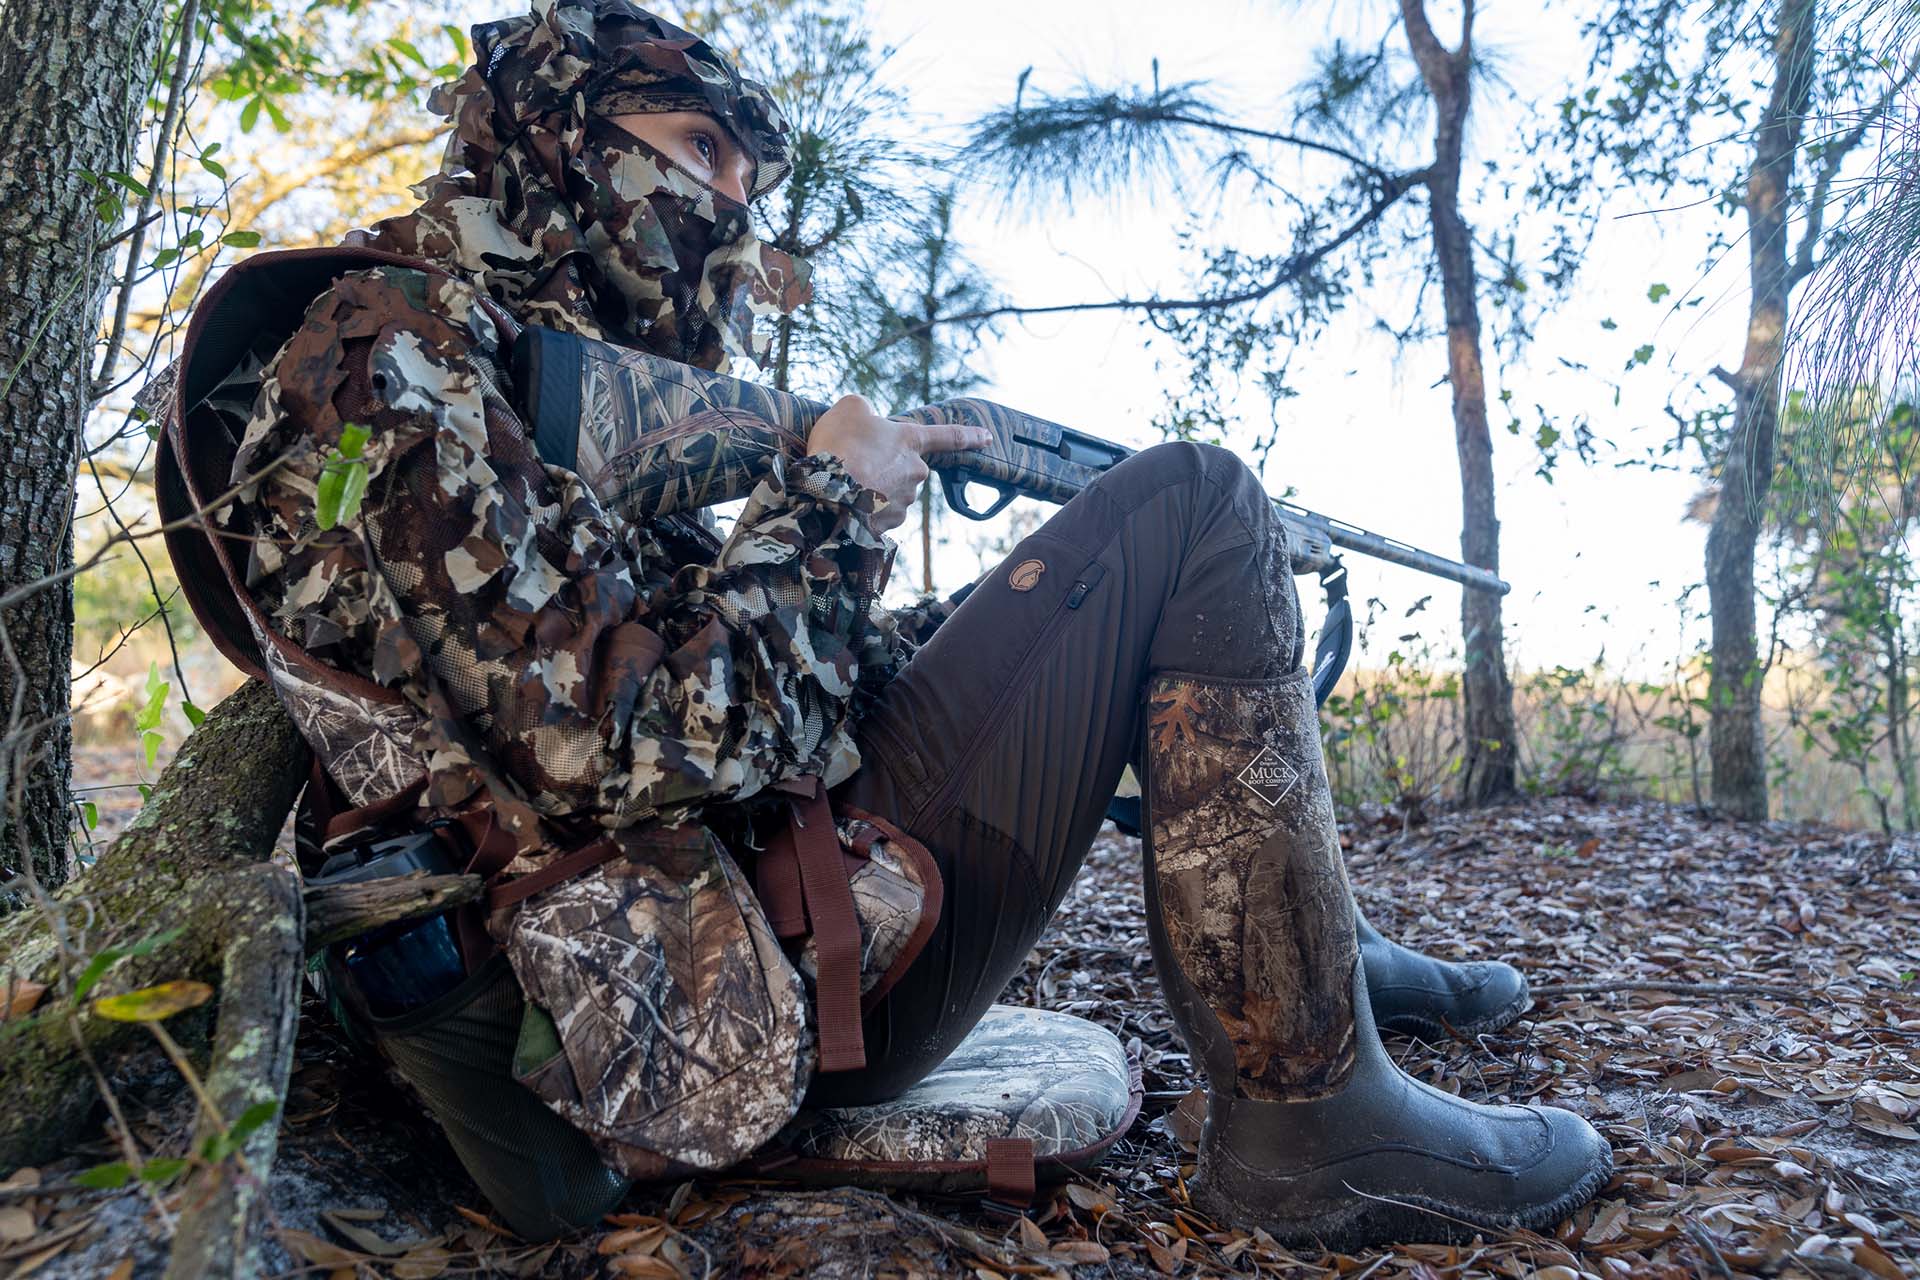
(1003, 740)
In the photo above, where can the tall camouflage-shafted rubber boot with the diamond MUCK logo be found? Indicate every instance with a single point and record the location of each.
(1312, 1133)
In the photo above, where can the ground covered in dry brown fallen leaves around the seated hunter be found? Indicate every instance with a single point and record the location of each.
(1735, 1007)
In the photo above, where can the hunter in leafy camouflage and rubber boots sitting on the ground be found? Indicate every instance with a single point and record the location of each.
(750, 841)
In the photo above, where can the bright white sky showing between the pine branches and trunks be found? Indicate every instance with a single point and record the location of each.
(1596, 557)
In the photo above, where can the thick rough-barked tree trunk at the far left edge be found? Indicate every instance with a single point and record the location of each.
(74, 85)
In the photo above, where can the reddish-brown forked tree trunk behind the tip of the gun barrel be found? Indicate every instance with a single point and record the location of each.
(1489, 767)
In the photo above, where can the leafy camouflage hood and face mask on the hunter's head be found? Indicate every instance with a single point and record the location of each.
(579, 225)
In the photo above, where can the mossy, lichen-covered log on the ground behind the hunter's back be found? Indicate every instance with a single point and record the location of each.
(183, 893)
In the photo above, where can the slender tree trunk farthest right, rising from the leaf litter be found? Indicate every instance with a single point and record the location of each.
(1735, 730)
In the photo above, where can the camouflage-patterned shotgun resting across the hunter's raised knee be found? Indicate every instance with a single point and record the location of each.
(654, 437)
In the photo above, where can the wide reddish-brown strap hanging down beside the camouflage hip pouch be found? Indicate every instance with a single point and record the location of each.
(836, 926)
